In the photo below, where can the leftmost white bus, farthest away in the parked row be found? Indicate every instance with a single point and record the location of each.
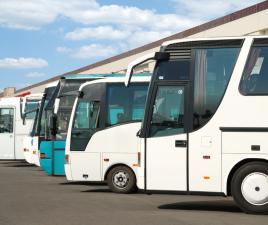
(12, 127)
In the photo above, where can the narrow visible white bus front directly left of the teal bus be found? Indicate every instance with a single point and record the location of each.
(38, 131)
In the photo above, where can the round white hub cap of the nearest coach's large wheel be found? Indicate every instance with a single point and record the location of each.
(254, 188)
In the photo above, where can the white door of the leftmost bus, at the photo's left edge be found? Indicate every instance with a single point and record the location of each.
(7, 137)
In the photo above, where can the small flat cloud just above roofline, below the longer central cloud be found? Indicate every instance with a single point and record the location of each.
(92, 51)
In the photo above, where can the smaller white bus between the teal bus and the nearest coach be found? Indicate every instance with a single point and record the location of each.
(101, 142)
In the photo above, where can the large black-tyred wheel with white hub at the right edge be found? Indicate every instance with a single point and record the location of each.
(249, 187)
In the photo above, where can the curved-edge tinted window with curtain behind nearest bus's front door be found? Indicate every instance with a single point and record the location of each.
(212, 72)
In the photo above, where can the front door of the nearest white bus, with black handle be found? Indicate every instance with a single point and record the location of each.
(166, 138)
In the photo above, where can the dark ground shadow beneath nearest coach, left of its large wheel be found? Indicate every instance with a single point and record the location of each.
(219, 205)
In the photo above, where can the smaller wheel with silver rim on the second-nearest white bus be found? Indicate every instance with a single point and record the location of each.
(121, 179)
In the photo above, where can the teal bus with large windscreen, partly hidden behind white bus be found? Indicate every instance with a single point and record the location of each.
(58, 111)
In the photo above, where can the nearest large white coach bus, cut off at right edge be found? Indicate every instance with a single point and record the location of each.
(205, 128)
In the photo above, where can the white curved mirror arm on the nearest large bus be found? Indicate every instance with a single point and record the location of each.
(151, 56)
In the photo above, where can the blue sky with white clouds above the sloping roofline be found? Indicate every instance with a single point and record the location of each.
(40, 39)
